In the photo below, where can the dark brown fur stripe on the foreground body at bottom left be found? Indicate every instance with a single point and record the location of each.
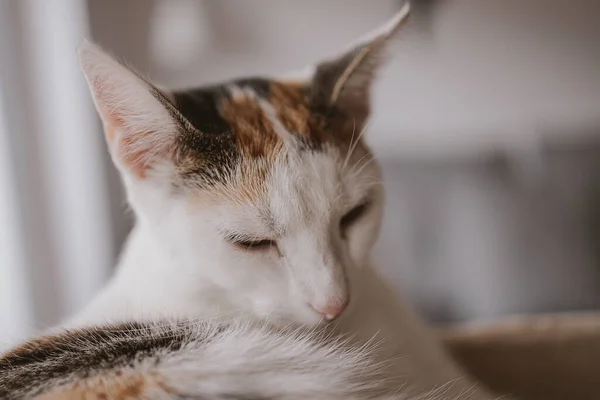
(30, 369)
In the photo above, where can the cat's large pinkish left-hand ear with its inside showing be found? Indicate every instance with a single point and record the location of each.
(140, 124)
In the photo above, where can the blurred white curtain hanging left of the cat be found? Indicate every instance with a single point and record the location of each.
(56, 246)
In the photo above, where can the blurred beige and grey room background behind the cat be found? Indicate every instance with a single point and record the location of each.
(487, 123)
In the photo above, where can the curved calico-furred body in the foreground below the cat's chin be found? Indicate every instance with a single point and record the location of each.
(201, 360)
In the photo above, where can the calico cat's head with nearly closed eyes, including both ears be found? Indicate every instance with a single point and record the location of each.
(262, 187)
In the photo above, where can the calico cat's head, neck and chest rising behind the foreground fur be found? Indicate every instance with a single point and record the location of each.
(258, 199)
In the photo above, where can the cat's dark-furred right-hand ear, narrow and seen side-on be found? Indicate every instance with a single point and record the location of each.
(344, 83)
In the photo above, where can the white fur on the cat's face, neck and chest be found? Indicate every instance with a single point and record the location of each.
(177, 263)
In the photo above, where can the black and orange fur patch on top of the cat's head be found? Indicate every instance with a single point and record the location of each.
(243, 127)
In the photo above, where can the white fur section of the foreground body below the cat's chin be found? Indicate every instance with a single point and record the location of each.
(296, 365)
